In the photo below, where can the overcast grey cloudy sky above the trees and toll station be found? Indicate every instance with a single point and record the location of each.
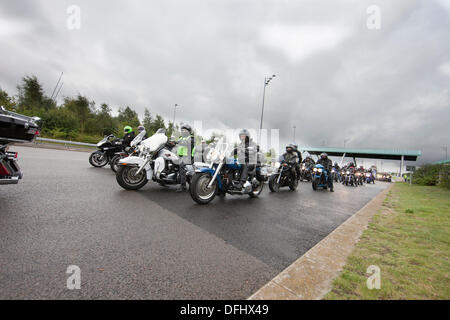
(336, 78)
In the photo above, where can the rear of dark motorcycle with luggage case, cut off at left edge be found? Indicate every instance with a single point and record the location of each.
(14, 128)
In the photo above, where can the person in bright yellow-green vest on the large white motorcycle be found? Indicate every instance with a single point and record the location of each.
(185, 152)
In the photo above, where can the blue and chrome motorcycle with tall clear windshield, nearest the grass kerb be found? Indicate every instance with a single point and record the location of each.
(223, 176)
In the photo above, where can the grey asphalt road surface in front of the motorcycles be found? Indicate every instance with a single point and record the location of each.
(152, 243)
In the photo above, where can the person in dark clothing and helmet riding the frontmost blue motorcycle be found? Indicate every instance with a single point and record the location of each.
(246, 154)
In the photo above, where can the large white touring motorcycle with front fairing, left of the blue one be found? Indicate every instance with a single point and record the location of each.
(154, 161)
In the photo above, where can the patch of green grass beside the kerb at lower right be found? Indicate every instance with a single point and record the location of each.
(409, 240)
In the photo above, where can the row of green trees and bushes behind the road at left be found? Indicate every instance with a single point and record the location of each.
(77, 118)
